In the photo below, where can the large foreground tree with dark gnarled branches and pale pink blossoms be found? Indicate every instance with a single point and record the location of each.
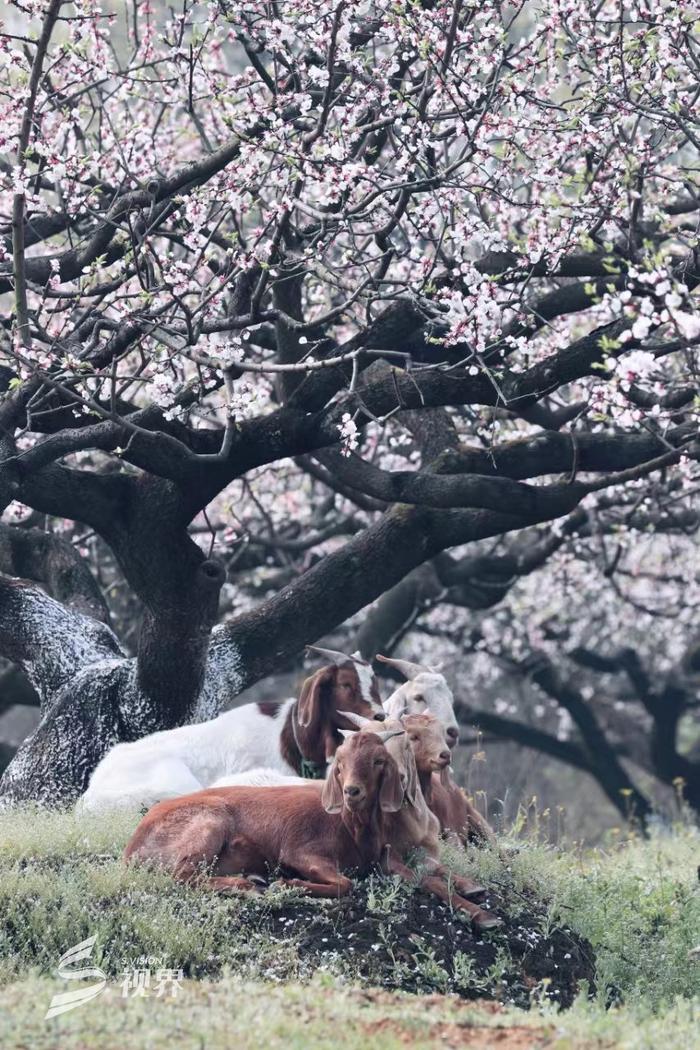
(315, 295)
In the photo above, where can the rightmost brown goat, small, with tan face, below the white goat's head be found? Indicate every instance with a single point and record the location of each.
(459, 820)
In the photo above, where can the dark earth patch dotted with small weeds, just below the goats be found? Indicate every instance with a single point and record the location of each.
(421, 946)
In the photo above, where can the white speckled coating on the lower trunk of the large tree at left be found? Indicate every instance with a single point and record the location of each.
(91, 697)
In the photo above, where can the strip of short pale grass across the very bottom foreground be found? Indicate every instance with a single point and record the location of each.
(322, 1015)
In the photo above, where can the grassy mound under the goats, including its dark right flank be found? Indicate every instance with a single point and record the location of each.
(62, 880)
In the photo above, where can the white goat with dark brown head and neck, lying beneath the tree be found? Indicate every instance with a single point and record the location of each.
(294, 737)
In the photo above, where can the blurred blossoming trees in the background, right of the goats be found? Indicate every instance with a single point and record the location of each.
(592, 661)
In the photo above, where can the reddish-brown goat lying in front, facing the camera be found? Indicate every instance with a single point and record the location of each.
(311, 833)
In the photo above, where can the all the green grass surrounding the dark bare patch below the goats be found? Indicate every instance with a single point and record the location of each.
(62, 880)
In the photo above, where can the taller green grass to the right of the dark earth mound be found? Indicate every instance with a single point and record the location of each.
(638, 901)
